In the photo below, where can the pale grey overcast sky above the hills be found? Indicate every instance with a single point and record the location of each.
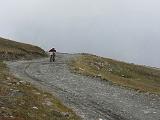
(126, 30)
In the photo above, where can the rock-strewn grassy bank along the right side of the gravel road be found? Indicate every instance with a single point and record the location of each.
(133, 76)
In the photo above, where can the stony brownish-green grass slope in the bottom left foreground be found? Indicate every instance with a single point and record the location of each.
(22, 101)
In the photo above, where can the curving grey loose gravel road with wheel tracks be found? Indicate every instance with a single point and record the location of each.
(91, 98)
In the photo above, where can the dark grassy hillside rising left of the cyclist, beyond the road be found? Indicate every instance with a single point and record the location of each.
(16, 50)
